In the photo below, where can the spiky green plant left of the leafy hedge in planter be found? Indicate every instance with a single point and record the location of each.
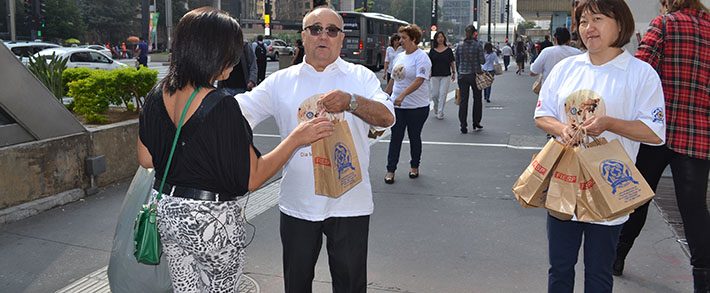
(49, 71)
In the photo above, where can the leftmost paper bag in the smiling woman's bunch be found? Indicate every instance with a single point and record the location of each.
(530, 188)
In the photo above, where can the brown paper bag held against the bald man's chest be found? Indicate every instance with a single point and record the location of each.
(336, 167)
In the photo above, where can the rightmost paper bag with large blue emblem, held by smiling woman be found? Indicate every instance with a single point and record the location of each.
(621, 186)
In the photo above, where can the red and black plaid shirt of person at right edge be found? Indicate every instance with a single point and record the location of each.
(684, 56)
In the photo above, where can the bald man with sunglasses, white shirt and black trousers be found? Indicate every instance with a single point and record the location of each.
(341, 87)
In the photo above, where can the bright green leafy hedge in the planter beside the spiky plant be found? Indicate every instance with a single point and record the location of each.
(94, 90)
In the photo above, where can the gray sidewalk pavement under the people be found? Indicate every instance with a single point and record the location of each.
(456, 228)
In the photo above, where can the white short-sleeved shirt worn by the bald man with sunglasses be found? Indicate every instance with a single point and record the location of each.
(280, 95)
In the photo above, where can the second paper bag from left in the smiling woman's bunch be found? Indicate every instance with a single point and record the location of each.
(562, 194)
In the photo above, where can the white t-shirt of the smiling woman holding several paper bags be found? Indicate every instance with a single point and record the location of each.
(627, 88)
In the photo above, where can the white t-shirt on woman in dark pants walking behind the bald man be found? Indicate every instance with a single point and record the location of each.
(407, 68)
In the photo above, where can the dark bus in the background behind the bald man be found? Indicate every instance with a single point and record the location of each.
(367, 37)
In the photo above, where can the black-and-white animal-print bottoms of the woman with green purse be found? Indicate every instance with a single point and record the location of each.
(203, 242)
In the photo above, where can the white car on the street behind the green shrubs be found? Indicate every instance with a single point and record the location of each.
(82, 57)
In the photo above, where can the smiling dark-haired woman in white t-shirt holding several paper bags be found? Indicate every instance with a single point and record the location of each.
(628, 106)
